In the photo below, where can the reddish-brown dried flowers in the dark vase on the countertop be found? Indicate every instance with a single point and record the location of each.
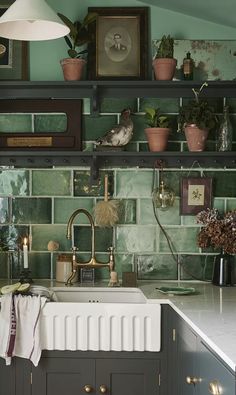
(219, 230)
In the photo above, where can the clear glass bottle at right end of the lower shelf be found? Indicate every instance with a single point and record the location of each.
(224, 141)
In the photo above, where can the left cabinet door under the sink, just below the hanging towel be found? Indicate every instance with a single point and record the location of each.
(60, 376)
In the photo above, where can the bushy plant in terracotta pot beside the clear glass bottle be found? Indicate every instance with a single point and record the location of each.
(196, 119)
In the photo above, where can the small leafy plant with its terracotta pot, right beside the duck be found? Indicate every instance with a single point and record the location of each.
(158, 131)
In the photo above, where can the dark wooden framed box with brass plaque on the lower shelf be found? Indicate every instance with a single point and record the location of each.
(41, 124)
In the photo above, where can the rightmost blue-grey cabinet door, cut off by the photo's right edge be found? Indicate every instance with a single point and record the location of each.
(214, 375)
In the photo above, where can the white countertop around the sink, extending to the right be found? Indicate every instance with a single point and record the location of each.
(211, 312)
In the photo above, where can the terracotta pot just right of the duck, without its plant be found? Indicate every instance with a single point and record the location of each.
(157, 138)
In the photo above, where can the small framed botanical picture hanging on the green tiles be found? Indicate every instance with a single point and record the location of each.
(196, 195)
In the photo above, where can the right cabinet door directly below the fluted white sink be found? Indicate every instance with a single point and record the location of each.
(127, 376)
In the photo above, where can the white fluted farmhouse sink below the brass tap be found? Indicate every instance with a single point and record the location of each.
(100, 319)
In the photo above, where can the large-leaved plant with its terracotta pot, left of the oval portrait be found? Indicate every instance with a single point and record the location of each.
(79, 36)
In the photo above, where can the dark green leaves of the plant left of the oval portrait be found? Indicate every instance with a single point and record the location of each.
(79, 34)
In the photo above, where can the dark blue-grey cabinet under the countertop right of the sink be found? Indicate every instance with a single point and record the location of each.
(195, 368)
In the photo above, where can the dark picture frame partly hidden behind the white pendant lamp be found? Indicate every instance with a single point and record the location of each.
(13, 54)
